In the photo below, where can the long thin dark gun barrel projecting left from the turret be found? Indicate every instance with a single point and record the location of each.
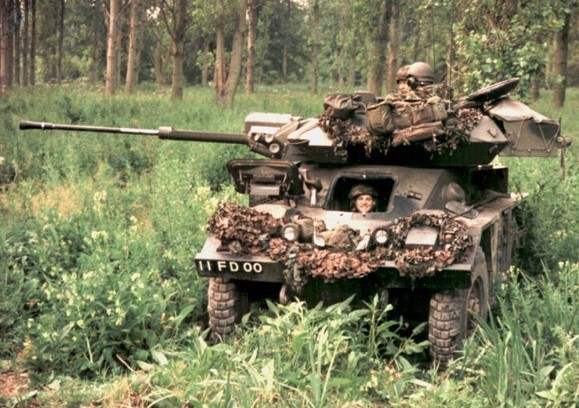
(162, 133)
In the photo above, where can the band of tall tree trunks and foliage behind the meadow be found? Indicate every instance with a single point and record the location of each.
(350, 44)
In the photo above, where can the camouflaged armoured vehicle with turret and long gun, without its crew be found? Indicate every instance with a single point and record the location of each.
(439, 229)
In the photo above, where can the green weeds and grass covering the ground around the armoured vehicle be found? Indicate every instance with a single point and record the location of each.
(100, 302)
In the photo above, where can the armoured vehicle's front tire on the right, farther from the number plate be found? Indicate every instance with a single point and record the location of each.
(449, 320)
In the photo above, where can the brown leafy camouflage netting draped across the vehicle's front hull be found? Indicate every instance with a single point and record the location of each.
(246, 230)
